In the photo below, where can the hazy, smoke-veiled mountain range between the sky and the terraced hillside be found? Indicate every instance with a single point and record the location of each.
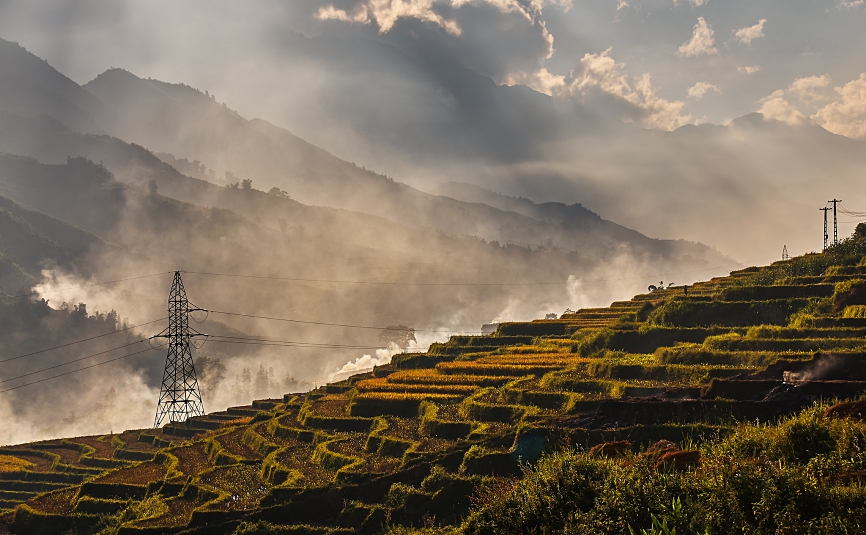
(125, 178)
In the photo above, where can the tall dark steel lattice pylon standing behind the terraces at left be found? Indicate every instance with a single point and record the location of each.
(179, 397)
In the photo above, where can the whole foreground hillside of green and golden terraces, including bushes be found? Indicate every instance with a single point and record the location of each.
(734, 407)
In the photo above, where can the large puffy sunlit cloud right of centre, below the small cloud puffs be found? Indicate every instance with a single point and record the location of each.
(600, 73)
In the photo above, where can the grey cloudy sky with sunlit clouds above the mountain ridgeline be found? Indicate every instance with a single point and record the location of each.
(403, 87)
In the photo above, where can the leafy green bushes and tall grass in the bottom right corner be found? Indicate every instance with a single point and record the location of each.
(800, 476)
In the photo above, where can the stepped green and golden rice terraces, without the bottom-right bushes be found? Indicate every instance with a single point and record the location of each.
(416, 438)
